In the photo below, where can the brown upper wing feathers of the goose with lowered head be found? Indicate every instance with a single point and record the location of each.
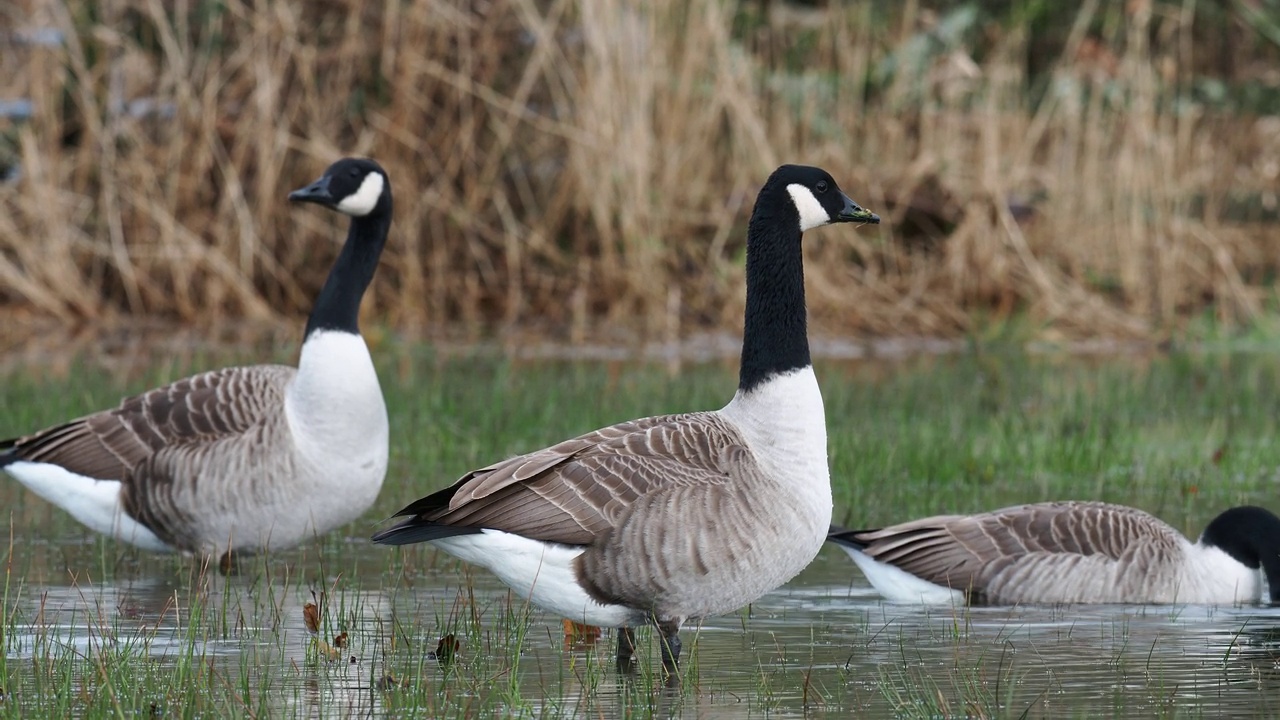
(967, 553)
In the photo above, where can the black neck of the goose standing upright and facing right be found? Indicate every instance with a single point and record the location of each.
(775, 335)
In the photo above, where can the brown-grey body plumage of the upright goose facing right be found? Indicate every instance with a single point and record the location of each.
(671, 511)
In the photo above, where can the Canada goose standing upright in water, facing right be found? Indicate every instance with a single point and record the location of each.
(675, 517)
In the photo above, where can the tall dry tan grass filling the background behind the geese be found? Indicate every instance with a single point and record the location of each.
(583, 166)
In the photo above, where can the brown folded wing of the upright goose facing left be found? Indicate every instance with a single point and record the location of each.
(115, 444)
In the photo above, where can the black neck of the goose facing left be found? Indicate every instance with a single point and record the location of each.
(339, 306)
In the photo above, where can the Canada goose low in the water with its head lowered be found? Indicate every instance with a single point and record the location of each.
(1055, 553)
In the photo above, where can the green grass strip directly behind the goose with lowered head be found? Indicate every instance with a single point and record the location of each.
(1183, 438)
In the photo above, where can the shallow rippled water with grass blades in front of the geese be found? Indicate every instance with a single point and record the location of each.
(824, 646)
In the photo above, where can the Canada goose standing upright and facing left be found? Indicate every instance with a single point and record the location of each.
(241, 459)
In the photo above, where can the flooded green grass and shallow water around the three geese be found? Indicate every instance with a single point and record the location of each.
(94, 630)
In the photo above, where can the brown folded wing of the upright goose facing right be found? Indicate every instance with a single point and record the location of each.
(578, 490)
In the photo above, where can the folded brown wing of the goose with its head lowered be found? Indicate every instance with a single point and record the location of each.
(1018, 552)
